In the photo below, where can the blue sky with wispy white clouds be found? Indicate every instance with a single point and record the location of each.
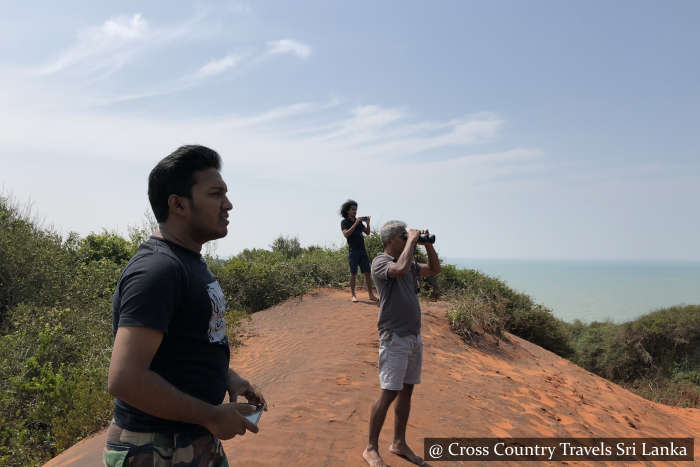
(510, 129)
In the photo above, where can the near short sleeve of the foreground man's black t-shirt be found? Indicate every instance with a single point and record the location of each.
(149, 292)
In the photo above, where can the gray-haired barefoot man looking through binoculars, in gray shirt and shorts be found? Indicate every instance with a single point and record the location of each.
(400, 344)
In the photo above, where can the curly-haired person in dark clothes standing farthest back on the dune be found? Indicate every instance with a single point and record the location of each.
(352, 228)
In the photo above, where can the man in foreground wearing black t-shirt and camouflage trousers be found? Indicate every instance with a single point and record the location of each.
(169, 368)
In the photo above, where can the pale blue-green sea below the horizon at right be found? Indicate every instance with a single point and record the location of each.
(617, 291)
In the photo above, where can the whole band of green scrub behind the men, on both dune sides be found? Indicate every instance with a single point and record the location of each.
(56, 329)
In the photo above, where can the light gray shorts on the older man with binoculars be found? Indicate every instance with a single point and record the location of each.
(400, 360)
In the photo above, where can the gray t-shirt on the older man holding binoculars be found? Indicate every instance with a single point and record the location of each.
(399, 310)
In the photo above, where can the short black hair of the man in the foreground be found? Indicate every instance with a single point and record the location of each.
(174, 174)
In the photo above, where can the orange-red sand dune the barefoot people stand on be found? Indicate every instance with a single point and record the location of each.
(315, 361)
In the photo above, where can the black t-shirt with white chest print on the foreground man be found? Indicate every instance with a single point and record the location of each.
(171, 289)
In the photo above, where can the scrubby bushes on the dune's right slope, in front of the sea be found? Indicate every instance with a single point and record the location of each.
(656, 355)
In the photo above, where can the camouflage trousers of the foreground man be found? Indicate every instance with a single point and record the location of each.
(135, 449)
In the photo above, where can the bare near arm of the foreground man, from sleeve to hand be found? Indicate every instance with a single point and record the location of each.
(131, 380)
